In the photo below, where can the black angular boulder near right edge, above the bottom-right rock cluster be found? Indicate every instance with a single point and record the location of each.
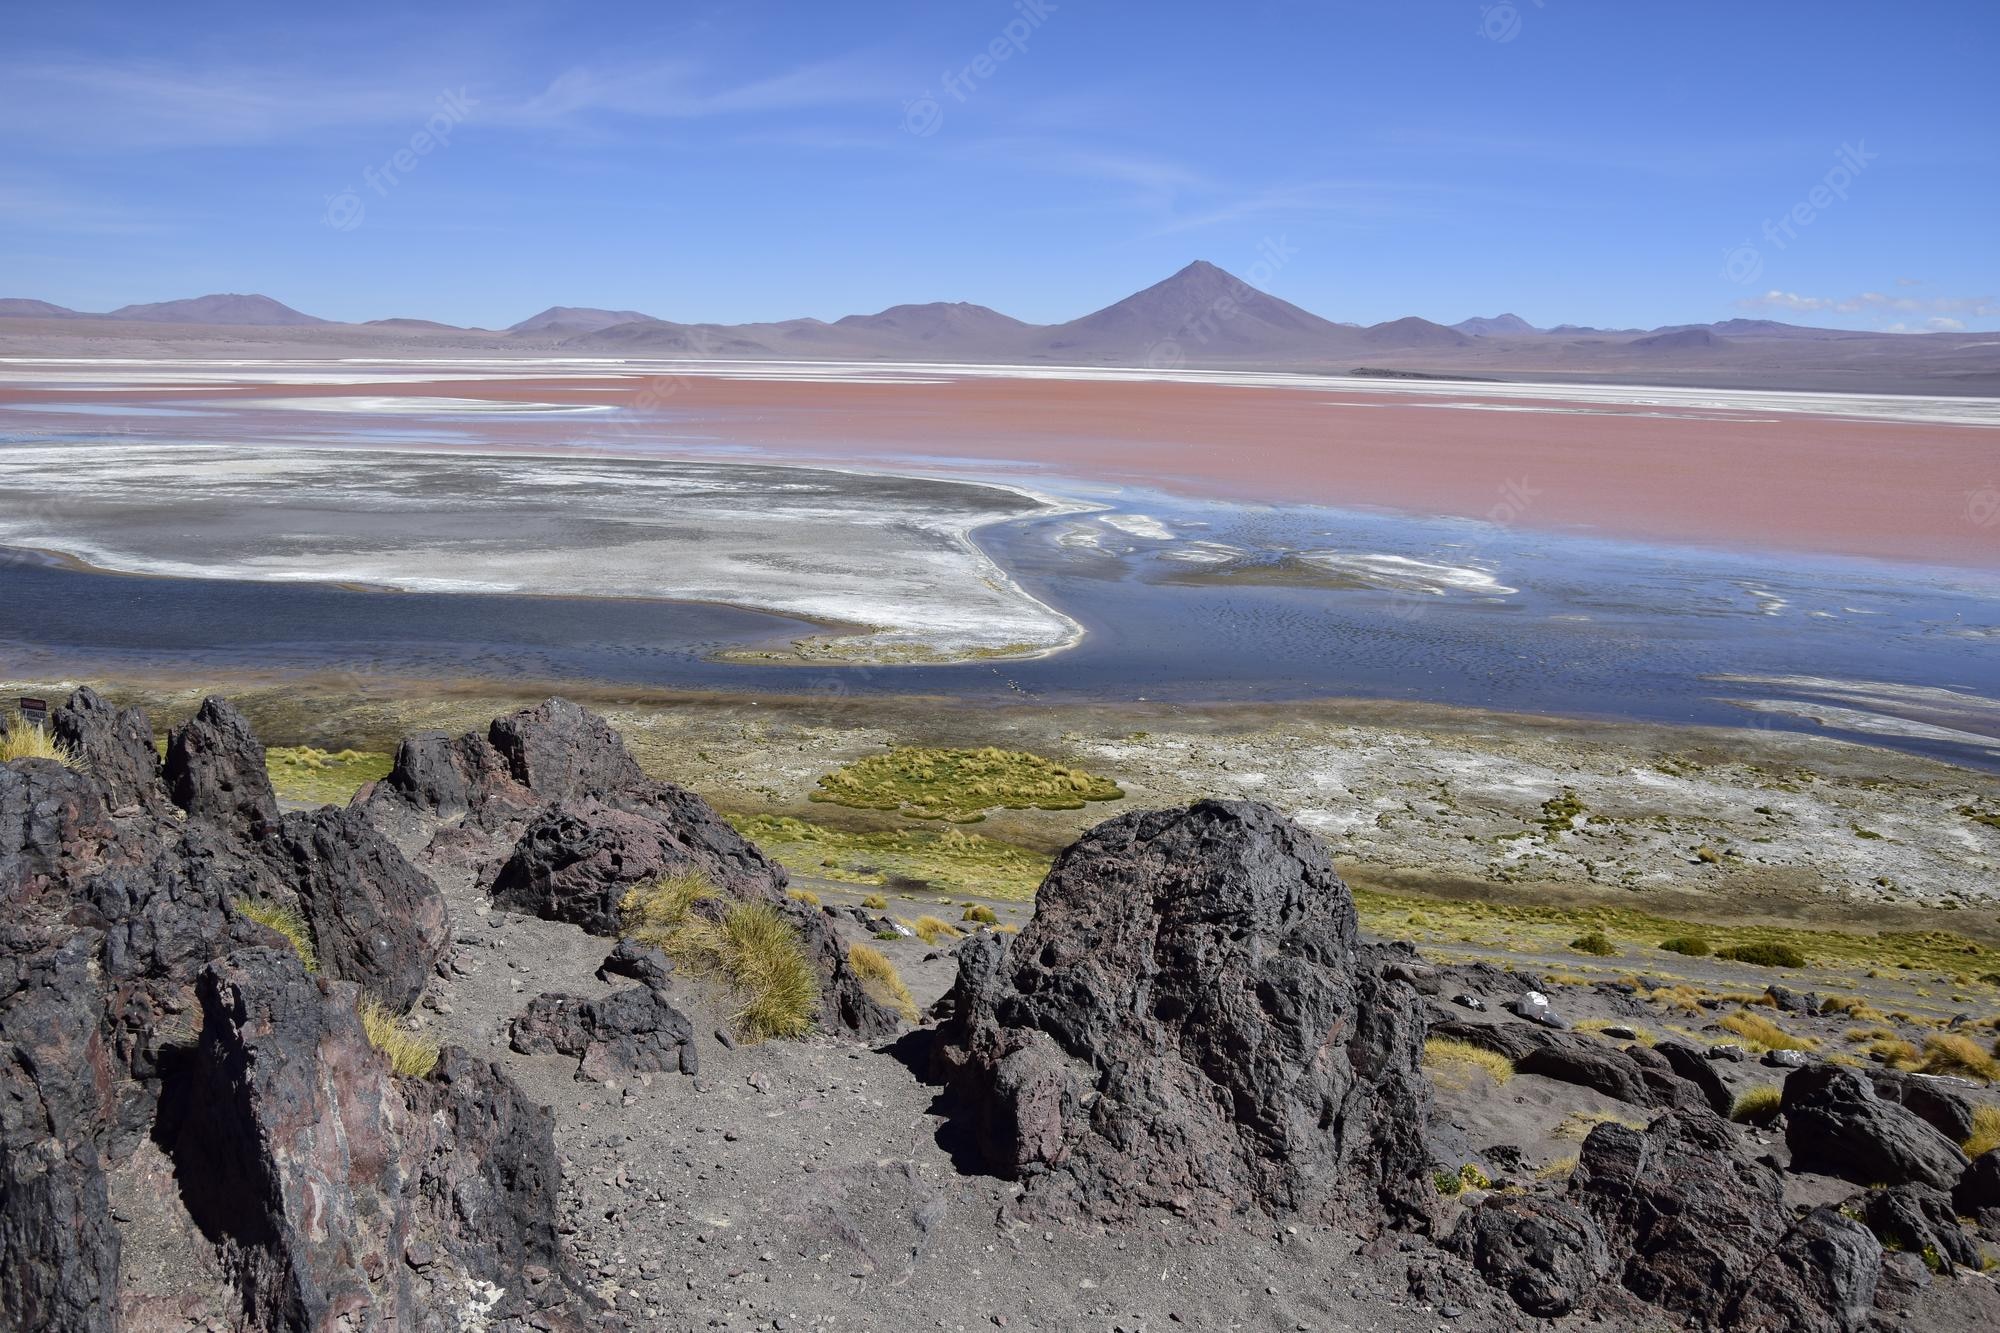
(1837, 1126)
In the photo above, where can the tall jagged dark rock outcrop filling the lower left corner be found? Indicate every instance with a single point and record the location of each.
(135, 1004)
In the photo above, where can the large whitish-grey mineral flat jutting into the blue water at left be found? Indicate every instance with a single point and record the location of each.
(865, 549)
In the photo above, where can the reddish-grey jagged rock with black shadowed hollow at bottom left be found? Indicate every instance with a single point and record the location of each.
(315, 1170)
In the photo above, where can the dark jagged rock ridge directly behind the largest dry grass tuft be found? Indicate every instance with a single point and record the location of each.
(553, 818)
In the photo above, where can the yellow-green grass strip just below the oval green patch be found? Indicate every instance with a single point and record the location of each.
(945, 860)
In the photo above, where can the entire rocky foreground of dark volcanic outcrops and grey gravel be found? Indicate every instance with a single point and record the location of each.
(1185, 1094)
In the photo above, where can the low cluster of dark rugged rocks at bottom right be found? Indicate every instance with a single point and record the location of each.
(1681, 1218)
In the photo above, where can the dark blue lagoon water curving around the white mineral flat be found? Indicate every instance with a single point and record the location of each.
(1591, 629)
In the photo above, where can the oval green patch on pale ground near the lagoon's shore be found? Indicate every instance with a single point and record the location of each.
(961, 786)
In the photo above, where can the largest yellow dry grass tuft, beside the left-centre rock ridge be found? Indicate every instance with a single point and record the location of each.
(749, 946)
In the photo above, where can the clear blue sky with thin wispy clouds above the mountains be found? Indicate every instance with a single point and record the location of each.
(1571, 161)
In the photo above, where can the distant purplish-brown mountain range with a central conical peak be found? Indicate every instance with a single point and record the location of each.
(1201, 317)
